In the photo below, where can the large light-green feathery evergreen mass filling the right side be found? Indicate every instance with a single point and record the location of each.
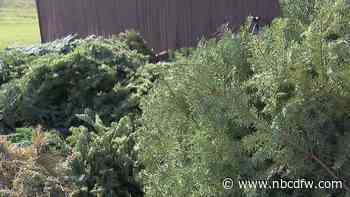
(254, 107)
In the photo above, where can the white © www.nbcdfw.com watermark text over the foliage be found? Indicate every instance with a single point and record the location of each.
(229, 184)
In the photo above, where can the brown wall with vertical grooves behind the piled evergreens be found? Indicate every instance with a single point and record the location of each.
(164, 24)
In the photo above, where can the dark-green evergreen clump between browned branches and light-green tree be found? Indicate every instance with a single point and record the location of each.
(105, 164)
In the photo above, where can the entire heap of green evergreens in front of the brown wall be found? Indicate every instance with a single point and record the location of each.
(251, 107)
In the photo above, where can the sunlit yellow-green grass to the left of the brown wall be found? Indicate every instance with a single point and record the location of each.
(18, 23)
